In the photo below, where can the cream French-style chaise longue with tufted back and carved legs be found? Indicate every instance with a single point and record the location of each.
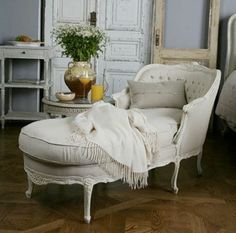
(177, 101)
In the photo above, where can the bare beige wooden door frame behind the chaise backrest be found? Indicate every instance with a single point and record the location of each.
(205, 56)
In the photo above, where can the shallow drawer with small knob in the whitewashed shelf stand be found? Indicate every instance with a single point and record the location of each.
(24, 53)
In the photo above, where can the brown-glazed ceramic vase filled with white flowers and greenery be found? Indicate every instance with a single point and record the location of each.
(81, 43)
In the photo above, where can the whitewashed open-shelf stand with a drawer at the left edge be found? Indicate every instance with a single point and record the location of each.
(8, 84)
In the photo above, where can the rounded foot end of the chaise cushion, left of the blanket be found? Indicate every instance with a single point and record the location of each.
(48, 140)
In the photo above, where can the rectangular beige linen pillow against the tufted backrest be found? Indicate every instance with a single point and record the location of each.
(166, 94)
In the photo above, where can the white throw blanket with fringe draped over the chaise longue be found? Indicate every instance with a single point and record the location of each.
(121, 141)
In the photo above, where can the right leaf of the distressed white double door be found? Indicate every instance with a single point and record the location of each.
(127, 24)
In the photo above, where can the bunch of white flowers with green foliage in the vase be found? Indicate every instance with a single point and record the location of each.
(80, 42)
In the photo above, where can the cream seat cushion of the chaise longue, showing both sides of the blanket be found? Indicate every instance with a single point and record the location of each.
(48, 140)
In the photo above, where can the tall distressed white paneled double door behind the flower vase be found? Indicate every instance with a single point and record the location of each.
(127, 24)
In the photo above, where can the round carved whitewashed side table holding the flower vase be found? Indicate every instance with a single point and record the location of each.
(55, 108)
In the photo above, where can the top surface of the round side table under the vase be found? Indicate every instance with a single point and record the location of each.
(75, 103)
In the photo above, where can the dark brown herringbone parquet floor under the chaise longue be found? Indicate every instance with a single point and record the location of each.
(204, 204)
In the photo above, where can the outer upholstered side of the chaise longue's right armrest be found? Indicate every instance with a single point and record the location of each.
(195, 121)
